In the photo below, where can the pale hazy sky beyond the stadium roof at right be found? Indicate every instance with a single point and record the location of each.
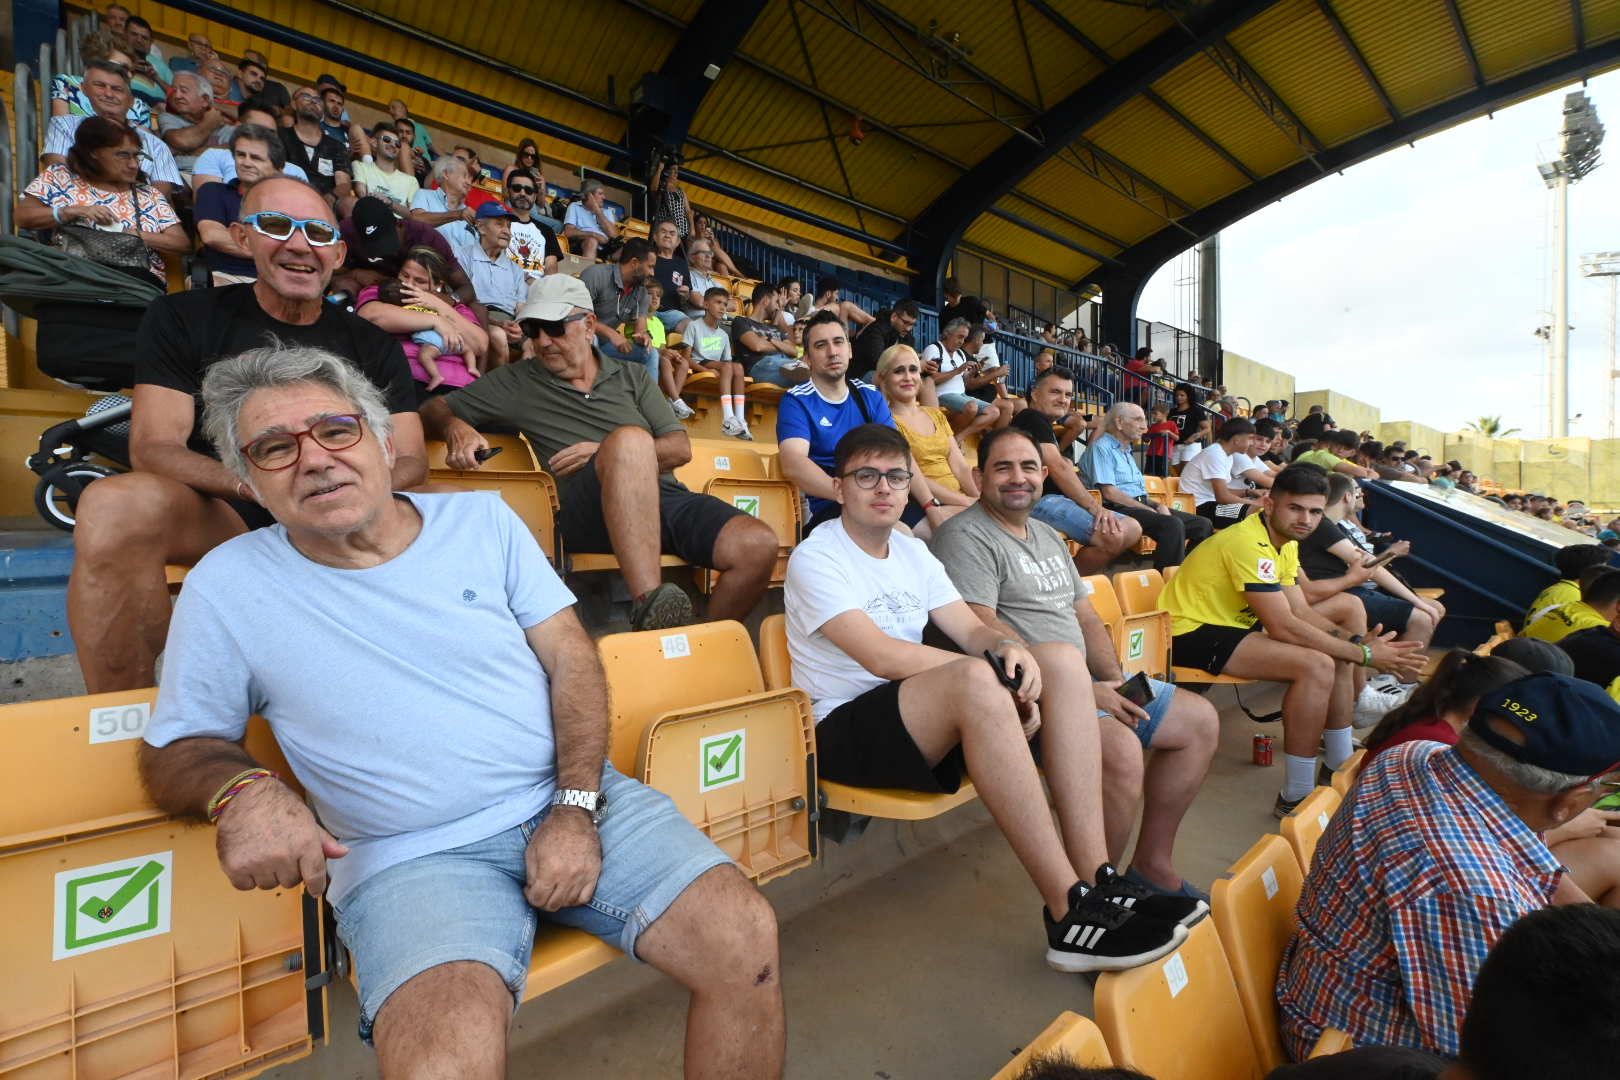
(1417, 281)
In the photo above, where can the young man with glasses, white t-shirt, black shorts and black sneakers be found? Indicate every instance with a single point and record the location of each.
(893, 712)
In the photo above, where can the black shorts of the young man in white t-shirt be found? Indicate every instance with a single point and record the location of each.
(866, 744)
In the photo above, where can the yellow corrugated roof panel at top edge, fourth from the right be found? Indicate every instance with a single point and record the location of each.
(1297, 53)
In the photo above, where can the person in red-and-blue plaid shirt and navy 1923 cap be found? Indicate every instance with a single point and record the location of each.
(1435, 857)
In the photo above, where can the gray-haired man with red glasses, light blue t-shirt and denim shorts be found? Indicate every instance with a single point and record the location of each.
(435, 885)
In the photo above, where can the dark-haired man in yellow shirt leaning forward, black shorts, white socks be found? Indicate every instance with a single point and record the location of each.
(1238, 611)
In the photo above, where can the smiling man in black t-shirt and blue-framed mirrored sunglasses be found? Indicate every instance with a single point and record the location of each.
(179, 501)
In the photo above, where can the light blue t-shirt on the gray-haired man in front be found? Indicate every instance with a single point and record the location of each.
(406, 697)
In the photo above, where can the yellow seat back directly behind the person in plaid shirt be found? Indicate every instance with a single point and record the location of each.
(1253, 908)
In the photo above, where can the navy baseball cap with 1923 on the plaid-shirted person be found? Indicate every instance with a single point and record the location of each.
(1562, 725)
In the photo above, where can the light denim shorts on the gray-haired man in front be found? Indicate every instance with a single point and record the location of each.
(469, 904)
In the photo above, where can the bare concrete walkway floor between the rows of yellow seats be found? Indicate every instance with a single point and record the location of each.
(913, 951)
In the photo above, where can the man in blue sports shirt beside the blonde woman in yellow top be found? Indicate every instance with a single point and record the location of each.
(816, 415)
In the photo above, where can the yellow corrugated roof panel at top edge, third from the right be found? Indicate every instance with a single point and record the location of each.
(1413, 49)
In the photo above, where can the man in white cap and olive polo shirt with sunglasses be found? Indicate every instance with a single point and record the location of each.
(610, 438)
